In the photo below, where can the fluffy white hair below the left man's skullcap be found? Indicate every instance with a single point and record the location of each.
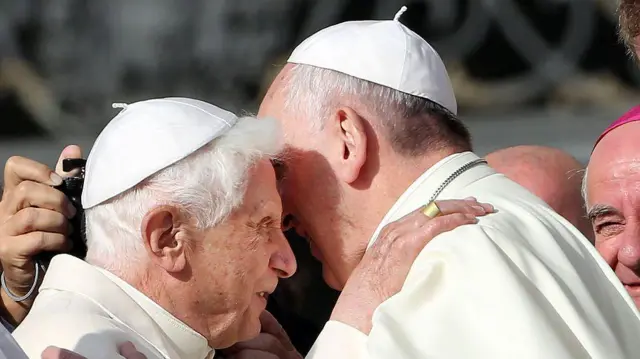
(207, 185)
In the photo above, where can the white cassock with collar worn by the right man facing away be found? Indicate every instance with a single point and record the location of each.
(521, 284)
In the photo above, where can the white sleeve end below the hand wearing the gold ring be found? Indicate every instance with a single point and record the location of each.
(339, 341)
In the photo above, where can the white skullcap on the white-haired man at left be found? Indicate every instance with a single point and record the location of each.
(146, 137)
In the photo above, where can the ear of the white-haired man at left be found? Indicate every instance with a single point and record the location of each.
(165, 238)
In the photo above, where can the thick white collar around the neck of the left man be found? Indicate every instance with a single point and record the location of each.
(140, 314)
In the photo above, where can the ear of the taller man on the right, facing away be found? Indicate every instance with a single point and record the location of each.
(354, 144)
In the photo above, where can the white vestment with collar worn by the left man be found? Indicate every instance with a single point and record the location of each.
(91, 311)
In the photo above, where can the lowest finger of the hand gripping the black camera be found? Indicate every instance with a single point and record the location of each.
(30, 244)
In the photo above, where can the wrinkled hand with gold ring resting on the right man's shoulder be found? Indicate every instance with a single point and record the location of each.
(384, 268)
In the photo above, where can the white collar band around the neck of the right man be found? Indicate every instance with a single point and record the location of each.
(427, 184)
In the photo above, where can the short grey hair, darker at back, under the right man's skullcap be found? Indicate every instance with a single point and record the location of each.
(425, 125)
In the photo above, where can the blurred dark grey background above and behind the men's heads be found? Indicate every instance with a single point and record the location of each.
(525, 71)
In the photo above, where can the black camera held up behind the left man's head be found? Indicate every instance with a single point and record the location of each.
(72, 188)
